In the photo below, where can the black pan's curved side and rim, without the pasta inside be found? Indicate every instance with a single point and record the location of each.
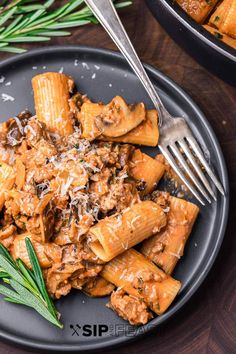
(215, 55)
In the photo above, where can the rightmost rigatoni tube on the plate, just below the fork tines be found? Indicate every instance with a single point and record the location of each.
(166, 247)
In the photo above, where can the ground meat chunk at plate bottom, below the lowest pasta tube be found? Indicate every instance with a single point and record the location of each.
(129, 308)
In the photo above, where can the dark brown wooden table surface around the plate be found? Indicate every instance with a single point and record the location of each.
(207, 324)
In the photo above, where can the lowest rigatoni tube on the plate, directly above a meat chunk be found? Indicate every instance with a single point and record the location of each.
(139, 277)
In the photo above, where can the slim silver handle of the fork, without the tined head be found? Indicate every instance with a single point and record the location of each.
(105, 12)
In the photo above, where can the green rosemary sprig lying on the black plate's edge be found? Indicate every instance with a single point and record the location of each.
(28, 286)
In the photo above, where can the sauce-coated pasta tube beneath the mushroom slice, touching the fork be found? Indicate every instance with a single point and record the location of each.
(146, 133)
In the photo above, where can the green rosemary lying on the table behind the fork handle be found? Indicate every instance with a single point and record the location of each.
(24, 21)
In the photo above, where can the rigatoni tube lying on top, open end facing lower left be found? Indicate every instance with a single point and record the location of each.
(112, 235)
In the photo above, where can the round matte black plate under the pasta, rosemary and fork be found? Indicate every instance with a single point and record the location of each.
(103, 74)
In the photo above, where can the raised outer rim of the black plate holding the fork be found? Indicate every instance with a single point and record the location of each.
(112, 342)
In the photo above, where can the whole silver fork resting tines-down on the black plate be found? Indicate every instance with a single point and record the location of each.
(175, 135)
